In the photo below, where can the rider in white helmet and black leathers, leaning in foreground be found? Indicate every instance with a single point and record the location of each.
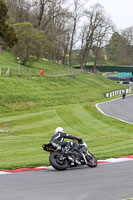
(58, 138)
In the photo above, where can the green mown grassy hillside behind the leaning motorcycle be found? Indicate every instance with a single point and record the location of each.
(30, 110)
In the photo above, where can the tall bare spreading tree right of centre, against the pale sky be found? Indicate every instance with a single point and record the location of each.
(92, 32)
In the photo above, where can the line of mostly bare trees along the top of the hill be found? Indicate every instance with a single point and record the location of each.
(62, 32)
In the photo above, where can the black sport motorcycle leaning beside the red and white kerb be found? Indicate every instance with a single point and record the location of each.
(77, 154)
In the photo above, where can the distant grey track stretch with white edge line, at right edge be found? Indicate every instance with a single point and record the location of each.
(121, 109)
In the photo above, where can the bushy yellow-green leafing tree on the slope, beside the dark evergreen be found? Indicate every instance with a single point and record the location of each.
(31, 42)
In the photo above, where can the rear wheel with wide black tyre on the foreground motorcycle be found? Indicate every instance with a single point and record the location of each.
(57, 161)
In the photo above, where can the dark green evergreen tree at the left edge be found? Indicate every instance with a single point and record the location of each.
(7, 34)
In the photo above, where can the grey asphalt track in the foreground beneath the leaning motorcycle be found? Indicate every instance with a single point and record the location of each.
(105, 182)
